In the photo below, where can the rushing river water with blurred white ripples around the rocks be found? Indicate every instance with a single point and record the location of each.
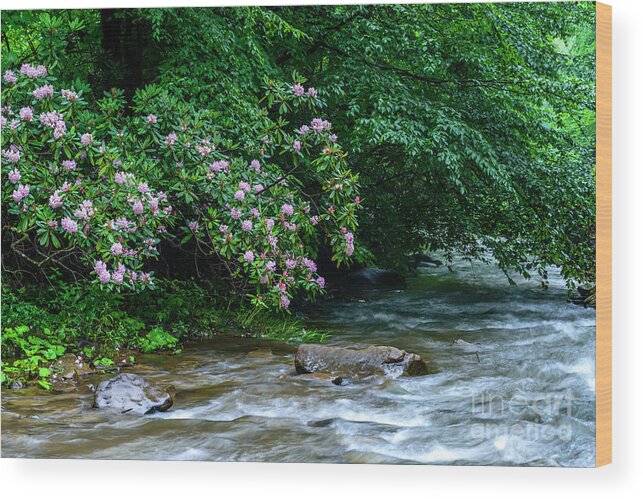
(513, 385)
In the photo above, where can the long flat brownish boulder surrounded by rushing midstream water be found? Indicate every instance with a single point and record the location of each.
(372, 360)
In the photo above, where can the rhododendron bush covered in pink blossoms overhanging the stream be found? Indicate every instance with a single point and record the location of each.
(98, 190)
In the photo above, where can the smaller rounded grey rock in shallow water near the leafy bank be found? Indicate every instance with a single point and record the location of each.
(131, 393)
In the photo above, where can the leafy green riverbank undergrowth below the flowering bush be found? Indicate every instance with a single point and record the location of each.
(43, 327)
